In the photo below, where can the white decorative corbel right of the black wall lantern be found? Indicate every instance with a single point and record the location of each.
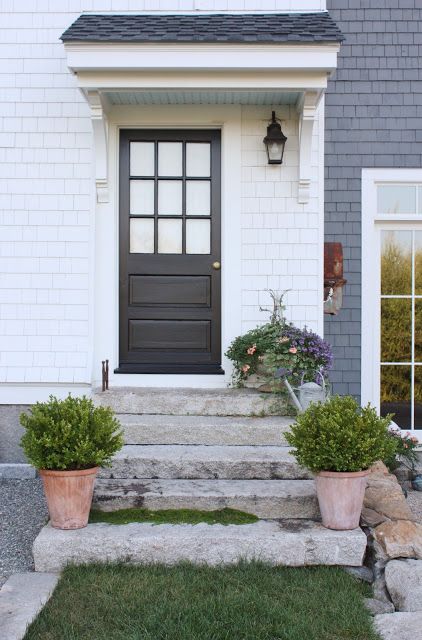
(307, 107)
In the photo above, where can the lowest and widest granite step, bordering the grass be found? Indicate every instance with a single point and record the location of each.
(293, 543)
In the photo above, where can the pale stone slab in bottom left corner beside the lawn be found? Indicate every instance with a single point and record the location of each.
(21, 599)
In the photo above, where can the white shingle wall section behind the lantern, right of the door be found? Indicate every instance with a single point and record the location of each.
(280, 238)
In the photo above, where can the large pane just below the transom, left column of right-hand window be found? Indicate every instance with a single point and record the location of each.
(396, 262)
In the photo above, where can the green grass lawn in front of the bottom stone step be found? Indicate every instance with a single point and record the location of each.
(244, 602)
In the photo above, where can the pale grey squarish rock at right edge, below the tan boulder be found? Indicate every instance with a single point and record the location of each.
(404, 583)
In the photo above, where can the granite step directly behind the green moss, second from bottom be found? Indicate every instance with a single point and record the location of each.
(264, 498)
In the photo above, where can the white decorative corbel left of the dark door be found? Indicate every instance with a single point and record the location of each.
(100, 131)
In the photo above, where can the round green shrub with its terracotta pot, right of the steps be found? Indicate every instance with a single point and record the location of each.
(338, 441)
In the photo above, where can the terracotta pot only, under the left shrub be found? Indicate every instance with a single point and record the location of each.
(69, 496)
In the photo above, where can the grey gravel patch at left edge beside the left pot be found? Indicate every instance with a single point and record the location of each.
(23, 512)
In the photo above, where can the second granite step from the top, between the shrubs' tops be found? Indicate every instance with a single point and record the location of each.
(206, 430)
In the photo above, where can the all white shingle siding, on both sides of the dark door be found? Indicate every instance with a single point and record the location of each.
(47, 197)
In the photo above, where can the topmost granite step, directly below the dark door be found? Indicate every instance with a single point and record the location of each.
(198, 402)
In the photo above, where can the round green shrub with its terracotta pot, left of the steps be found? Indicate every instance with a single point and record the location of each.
(67, 441)
